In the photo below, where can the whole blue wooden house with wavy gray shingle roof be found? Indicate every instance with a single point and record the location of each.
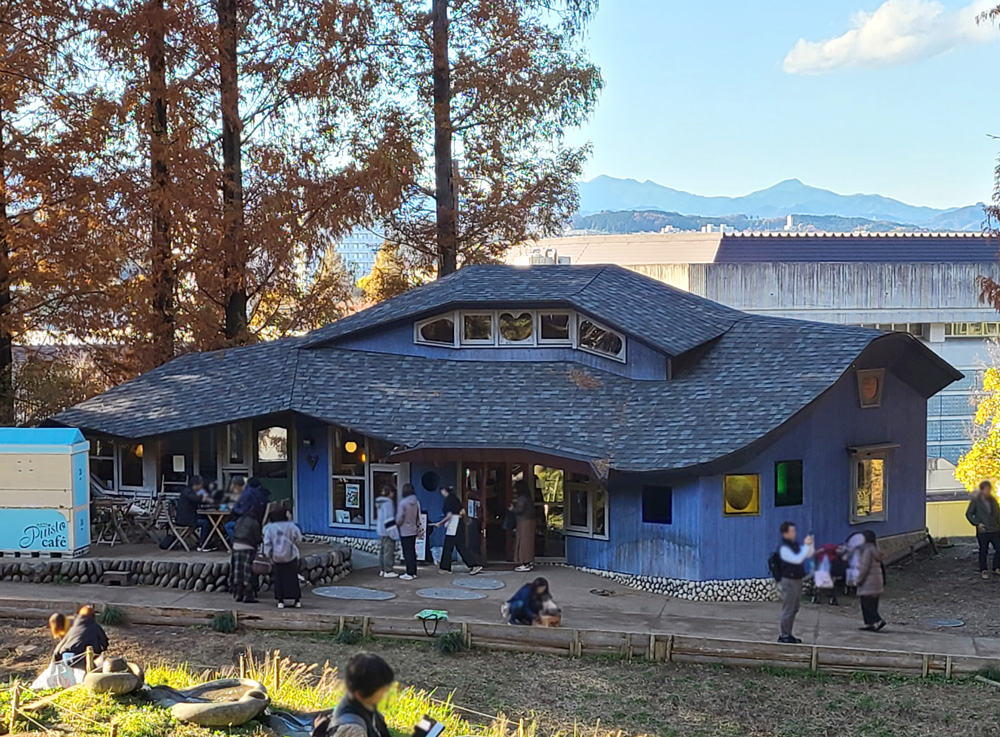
(664, 435)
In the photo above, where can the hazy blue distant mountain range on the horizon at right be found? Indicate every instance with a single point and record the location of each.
(791, 197)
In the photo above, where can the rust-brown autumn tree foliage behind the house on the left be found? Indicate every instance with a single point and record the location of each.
(174, 173)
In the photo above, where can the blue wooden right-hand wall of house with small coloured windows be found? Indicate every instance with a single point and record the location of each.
(704, 544)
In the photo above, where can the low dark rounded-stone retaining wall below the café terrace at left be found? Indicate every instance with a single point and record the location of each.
(319, 569)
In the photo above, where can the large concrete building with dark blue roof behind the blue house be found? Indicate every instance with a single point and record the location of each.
(921, 283)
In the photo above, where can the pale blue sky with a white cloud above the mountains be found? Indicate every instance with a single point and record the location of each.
(894, 97)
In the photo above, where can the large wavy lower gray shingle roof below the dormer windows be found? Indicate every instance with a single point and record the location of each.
(758, 375)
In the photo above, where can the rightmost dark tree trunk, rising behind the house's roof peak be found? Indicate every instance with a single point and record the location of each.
(444, 185)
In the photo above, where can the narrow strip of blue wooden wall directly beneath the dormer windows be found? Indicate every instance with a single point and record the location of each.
(643, 362)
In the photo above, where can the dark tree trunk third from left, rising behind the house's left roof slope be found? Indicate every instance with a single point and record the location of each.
(233, 245)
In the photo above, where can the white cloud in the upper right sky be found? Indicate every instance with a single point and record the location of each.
(897, 32)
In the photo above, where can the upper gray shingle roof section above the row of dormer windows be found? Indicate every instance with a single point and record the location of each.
(666, 318)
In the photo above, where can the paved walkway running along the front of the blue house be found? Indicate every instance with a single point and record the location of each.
(626, 610)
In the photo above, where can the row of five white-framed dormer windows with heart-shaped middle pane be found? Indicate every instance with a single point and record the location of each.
(520, 328)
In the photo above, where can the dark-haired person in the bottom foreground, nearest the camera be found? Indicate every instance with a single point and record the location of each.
(367, 681)
